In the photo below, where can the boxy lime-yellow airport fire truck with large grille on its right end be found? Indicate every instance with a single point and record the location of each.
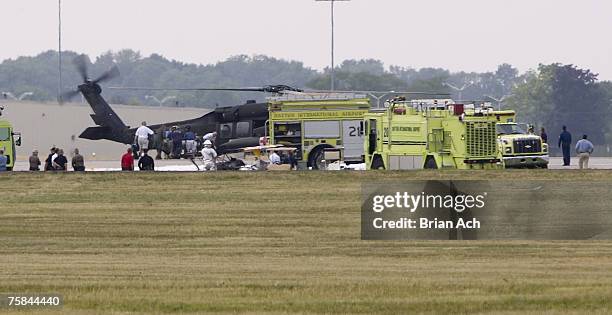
(431, 134)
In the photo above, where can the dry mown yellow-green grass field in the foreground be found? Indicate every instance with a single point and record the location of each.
(272, 243)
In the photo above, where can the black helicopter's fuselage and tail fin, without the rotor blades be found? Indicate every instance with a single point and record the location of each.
(236, 126)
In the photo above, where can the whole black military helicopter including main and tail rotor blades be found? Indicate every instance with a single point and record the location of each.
(236, 126)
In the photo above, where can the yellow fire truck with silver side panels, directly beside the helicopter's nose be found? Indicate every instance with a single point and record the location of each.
(315, 122)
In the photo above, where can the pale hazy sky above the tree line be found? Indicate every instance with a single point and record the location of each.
(471, 35)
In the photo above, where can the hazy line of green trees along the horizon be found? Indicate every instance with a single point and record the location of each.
(549, 96)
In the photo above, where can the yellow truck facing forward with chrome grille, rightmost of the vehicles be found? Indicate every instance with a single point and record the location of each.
(518, 147)
